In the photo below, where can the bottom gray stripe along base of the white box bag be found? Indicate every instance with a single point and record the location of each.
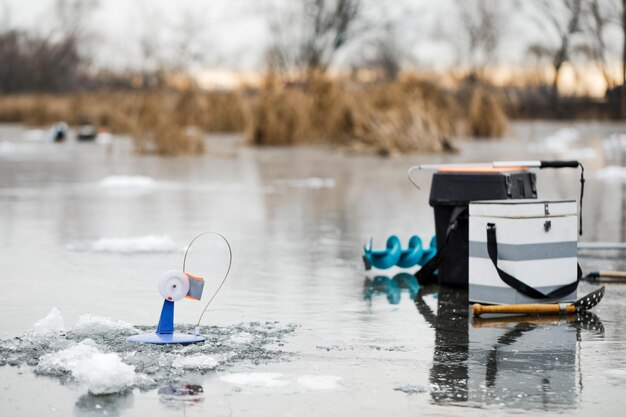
(487, 294)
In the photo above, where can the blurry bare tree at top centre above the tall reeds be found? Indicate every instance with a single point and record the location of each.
(309, 37)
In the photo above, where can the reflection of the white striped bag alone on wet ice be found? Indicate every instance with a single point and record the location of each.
(523, 365)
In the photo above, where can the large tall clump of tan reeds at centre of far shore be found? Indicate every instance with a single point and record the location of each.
(401, 117)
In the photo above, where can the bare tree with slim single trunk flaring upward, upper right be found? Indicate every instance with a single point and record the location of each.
(561, 22)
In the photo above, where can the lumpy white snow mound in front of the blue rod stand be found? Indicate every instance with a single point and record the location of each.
(103, 373)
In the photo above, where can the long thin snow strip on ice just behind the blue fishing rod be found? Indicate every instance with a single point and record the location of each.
(127, 246)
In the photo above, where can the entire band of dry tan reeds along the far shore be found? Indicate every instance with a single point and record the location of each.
(403, 116)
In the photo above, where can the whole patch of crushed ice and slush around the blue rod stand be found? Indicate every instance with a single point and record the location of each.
(95, 352)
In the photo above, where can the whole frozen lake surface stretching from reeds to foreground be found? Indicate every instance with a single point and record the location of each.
(87, 230)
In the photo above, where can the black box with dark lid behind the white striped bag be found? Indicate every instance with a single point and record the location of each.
(450, 195)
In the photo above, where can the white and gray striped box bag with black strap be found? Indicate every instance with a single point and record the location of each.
(522, 251)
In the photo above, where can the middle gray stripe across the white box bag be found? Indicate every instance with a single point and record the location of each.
(528, 252)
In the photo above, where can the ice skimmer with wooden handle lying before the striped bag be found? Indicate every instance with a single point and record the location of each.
(583, 304)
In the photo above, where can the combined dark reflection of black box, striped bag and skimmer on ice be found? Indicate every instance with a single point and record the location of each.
(527, 362)
